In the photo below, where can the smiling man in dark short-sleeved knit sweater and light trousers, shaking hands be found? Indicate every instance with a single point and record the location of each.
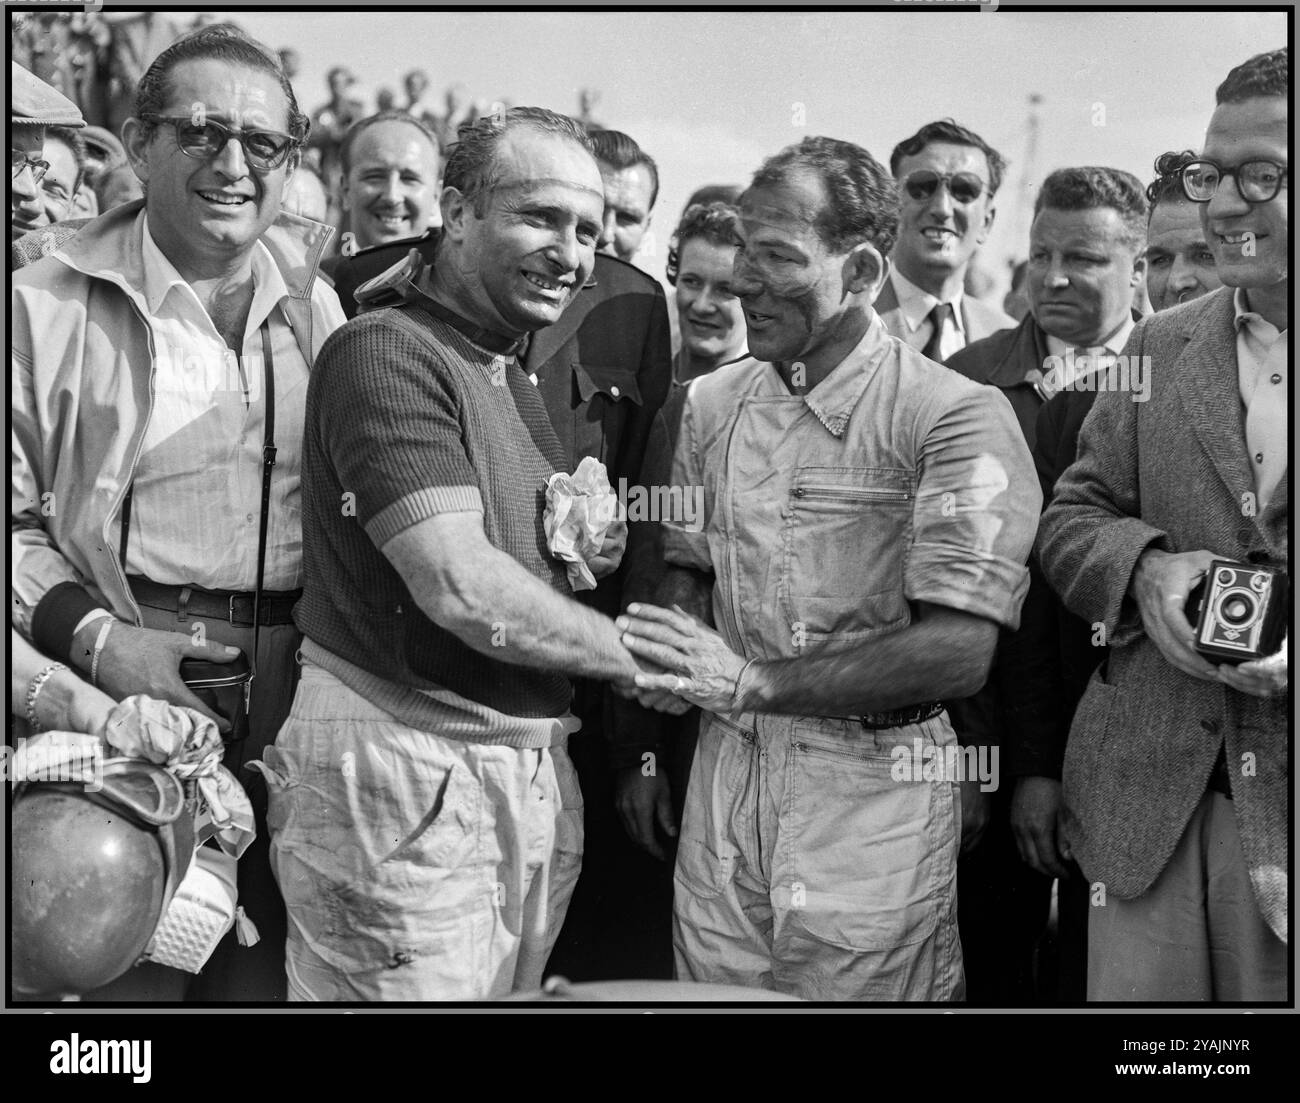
(427, 823)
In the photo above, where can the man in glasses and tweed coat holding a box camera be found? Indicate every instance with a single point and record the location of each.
(1177, 769)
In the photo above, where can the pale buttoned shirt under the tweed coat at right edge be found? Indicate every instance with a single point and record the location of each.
(1263, 378)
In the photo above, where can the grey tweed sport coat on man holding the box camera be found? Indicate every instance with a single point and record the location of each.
(1172, 473)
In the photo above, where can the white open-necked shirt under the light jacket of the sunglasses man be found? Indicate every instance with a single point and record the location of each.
(198, 486)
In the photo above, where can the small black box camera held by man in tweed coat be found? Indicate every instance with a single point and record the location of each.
(1240, 612)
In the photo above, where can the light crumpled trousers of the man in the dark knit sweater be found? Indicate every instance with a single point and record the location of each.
(413, 867)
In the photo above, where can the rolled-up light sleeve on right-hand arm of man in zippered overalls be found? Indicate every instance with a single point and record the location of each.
(977, 509)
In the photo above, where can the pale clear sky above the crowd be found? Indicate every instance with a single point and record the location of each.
(712, 94)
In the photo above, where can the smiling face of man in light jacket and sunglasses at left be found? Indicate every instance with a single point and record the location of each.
(207, 215)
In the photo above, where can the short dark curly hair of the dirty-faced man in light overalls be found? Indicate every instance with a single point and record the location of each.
(863, 197)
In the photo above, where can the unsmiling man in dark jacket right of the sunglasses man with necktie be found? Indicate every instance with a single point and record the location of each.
(1086, 257)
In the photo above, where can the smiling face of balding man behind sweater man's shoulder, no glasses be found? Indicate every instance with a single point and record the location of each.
(392, 187)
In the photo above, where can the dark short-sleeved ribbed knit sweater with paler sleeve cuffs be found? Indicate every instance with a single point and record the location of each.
(406, 419)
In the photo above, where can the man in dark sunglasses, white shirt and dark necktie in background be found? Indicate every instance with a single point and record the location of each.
(947, 178)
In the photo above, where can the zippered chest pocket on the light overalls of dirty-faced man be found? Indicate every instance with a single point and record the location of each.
(844, 542)
